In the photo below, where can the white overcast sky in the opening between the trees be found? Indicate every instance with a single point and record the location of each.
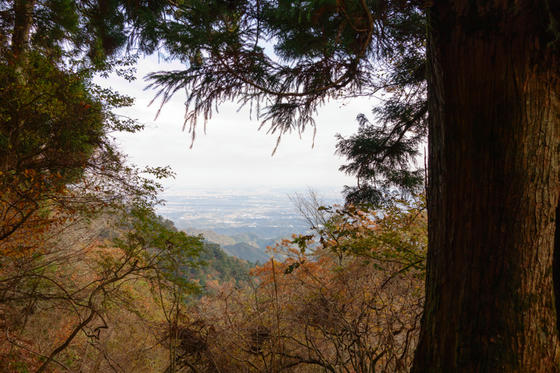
(232, 153)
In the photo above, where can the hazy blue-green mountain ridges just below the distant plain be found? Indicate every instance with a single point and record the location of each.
(246, 246)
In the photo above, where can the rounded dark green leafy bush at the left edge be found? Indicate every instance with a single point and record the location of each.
(50, 122)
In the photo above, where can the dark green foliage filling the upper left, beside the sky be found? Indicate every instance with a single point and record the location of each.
(56, 152)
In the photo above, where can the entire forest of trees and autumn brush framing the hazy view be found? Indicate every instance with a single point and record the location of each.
(454, 267)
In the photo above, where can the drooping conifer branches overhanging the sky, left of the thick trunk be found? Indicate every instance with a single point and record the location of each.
(321, 50)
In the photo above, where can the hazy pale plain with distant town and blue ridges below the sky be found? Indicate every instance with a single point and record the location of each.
(244, 223)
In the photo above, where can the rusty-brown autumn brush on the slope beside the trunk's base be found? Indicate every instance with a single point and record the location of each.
(347, 298)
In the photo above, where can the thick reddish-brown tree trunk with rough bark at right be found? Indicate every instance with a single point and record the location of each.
(494, 183)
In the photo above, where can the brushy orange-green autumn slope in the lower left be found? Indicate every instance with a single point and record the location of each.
(79, 301)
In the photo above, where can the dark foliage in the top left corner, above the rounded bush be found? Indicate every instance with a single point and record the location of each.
(79, 31)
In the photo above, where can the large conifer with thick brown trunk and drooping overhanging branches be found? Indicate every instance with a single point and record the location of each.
(490, 85)
